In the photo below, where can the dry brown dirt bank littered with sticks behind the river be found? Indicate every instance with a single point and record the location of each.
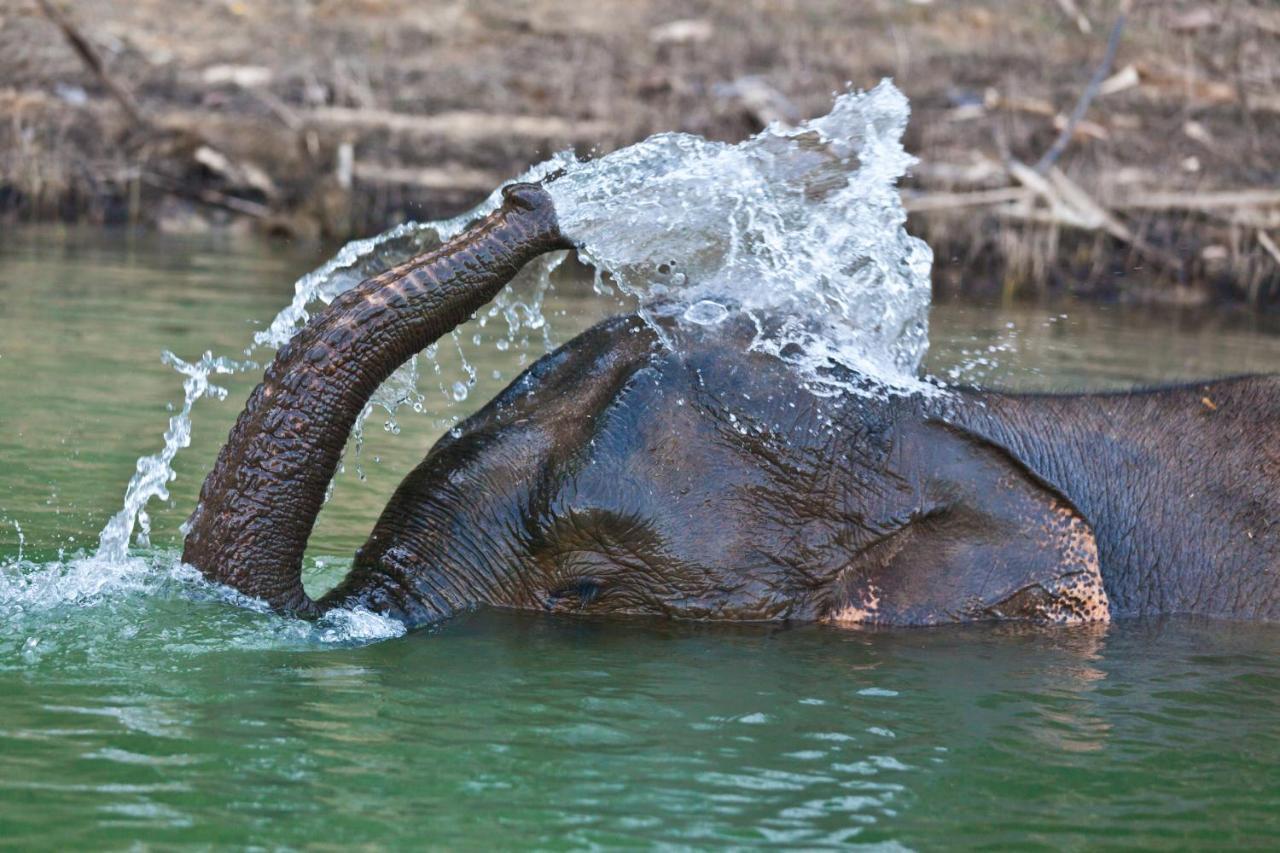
(324, 118)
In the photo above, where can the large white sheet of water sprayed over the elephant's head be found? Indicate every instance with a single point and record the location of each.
(802, 229)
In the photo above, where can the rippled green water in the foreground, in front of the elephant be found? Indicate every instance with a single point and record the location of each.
(534, 732)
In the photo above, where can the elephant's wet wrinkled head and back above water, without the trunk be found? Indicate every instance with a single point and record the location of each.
(618, 477)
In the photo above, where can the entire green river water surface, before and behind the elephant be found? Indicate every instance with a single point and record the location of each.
(139, 709)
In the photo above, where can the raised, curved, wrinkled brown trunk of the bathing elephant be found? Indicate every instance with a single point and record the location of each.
(262, 499)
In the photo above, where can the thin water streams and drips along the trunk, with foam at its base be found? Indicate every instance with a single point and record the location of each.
(126, 567)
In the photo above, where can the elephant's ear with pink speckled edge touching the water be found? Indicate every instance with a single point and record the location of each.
(986, 541)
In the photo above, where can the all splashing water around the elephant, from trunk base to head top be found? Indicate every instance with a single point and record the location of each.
(801, 229)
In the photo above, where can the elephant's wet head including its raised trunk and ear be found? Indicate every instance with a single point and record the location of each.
(619, 476)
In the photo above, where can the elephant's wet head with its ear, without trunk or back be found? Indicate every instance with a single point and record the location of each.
(623, 477)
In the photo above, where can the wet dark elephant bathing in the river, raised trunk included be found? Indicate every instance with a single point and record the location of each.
(619, 476)
